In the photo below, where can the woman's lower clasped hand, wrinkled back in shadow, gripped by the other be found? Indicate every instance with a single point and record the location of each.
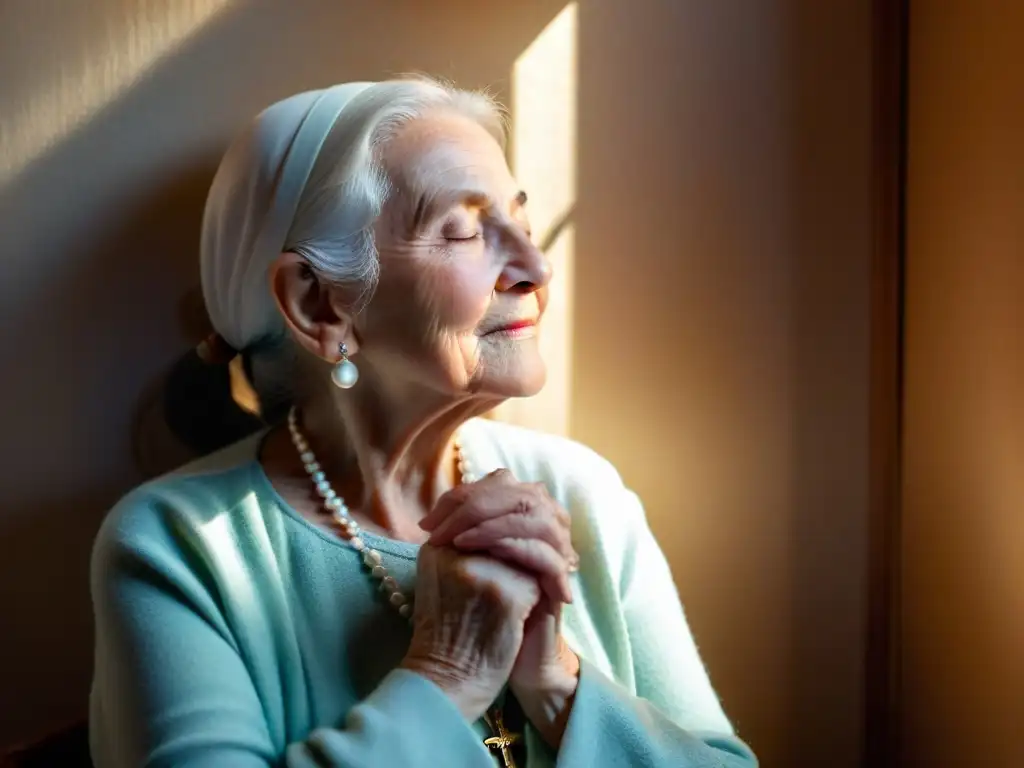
(470, 622)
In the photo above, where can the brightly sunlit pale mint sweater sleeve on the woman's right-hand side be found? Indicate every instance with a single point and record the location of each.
(675, 718)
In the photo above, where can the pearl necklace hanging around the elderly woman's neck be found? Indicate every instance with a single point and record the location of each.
(350, 529)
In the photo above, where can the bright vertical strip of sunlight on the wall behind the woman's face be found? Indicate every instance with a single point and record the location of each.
(544, 160)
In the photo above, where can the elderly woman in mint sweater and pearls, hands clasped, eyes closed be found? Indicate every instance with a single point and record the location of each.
(380, 577)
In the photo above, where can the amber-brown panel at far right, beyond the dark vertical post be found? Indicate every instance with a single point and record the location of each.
(964, 446)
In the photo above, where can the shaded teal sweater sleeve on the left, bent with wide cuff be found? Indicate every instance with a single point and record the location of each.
(172, 690)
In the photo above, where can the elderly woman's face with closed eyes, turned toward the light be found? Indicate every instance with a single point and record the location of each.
(462, 288)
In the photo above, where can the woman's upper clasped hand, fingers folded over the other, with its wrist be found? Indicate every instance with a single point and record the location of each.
(521, 524)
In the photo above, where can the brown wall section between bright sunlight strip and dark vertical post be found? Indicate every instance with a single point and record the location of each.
(722, 333)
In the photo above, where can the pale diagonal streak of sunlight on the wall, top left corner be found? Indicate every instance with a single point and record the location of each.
(95, 72)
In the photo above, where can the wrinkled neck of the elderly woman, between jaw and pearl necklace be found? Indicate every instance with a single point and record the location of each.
(390, 454)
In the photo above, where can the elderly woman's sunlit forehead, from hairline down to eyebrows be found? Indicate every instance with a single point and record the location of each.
(440, 160)
